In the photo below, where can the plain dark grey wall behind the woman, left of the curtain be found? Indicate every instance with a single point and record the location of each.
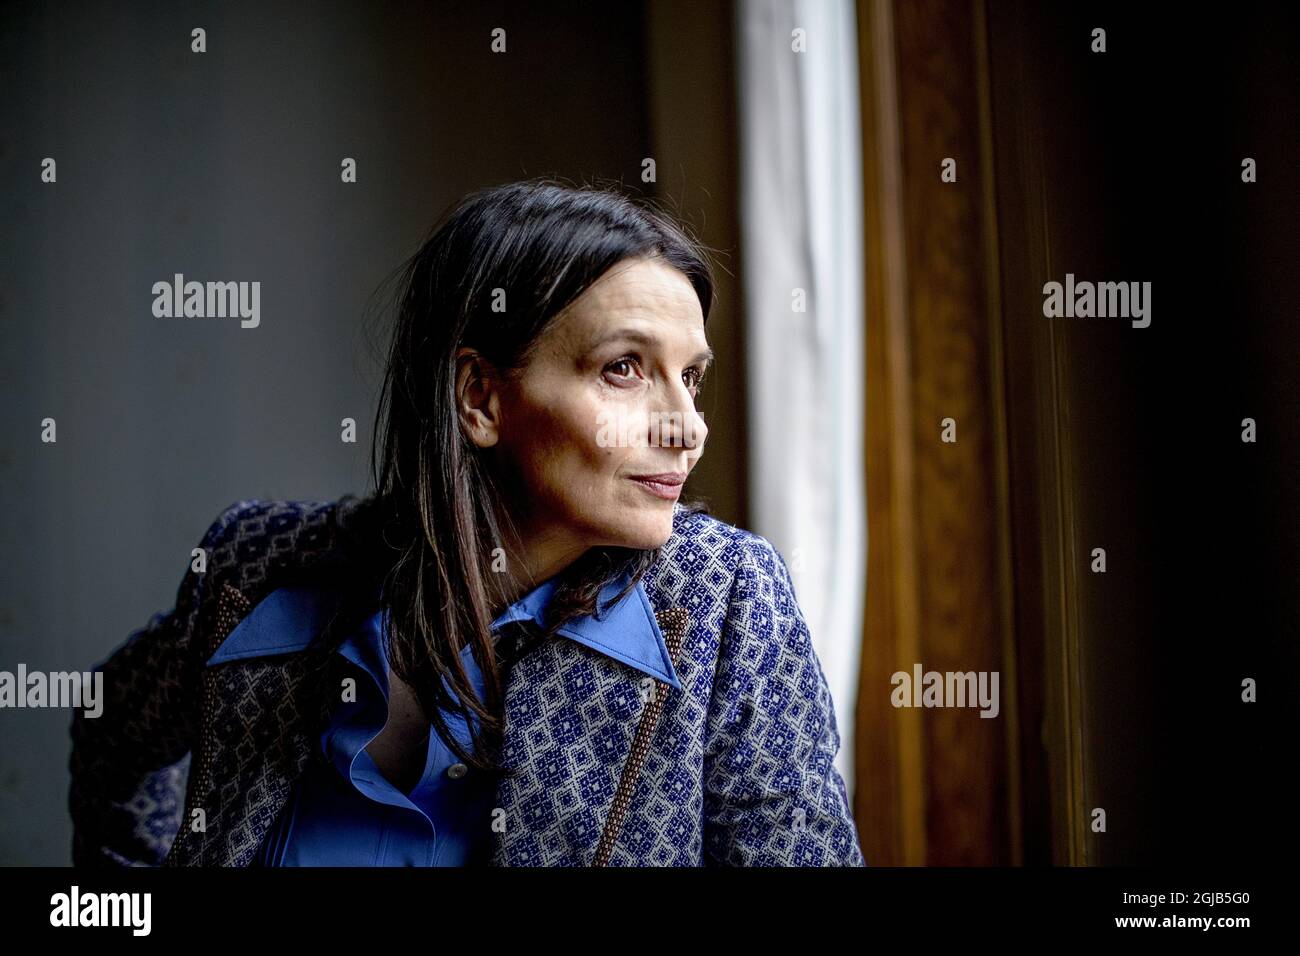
(226, 166)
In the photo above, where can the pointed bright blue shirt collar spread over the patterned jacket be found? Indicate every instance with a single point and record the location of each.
(292, 617)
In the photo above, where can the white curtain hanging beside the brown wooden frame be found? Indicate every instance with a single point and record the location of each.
(801, 228)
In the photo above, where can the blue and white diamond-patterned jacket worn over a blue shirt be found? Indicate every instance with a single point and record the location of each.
(736, 768)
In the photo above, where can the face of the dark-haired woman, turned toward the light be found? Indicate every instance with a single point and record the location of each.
(608, 397)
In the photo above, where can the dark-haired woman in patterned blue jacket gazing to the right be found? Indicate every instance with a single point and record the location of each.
(522, 650)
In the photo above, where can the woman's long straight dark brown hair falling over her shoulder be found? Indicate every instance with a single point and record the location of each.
(432, 518)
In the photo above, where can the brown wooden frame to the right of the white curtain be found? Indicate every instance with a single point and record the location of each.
(1026, 469)
